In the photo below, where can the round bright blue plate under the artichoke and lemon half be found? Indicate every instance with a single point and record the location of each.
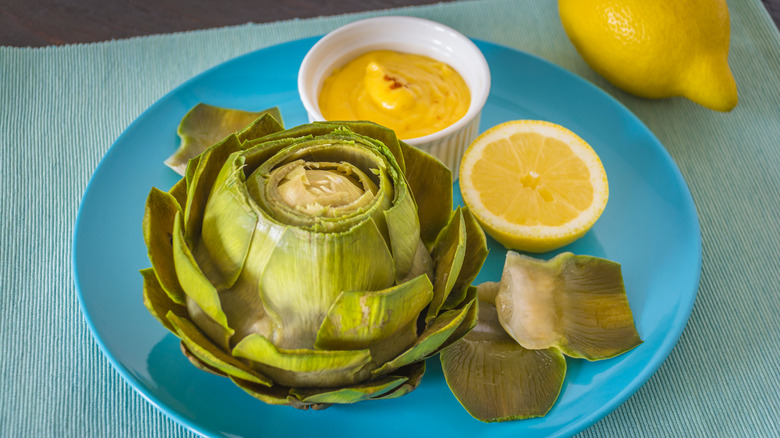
(649, 226)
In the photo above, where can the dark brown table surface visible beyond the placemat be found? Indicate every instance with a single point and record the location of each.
(37, 23)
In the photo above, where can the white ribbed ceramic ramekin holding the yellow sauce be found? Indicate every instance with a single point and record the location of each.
(410, 35)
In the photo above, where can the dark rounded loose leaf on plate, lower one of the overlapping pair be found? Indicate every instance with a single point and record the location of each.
(496, 379)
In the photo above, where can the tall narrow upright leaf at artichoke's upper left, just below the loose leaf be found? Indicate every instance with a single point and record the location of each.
(199, 187)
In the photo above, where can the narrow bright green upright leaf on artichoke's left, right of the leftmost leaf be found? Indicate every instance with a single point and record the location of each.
(195, 284)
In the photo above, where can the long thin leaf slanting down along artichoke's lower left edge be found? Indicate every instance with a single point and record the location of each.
(202, 348)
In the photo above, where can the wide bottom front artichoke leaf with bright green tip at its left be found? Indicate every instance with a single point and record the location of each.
(303, 367)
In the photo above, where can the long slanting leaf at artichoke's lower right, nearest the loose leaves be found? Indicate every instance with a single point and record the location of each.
(432, 339)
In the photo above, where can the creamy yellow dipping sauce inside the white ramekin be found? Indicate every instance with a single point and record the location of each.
(413, 95)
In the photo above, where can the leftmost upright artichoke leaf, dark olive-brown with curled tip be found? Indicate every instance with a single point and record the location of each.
(158, 224)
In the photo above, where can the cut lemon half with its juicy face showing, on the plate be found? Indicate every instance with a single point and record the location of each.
(533, 185)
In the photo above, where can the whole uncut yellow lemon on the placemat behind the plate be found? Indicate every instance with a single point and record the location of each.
(656, 48)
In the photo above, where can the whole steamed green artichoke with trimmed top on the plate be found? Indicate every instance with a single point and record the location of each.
(312, 266)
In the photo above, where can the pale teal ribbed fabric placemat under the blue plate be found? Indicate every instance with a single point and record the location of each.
(61, 108)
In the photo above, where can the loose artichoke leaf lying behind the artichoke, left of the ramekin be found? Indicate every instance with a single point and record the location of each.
(205, 125)
